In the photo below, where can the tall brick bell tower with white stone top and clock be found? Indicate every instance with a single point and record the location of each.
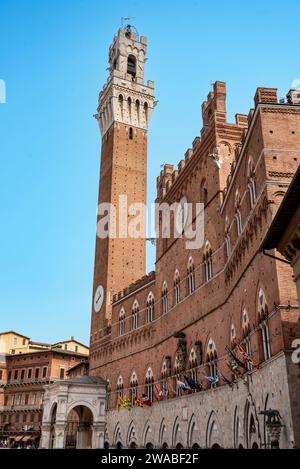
(124, 111)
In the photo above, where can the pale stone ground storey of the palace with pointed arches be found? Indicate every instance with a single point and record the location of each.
(223, 417)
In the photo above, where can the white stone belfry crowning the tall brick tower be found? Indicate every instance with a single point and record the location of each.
(125, 98)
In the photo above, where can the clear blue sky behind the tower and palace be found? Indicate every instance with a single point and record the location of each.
(53, 58)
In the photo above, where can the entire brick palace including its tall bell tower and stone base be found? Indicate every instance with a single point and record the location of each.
(183, 320)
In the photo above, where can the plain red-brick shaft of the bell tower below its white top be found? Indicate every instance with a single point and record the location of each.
(119, 262)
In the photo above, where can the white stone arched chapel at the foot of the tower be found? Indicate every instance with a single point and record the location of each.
(83, 397)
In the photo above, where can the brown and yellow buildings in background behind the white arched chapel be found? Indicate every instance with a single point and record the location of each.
(23, 377)
